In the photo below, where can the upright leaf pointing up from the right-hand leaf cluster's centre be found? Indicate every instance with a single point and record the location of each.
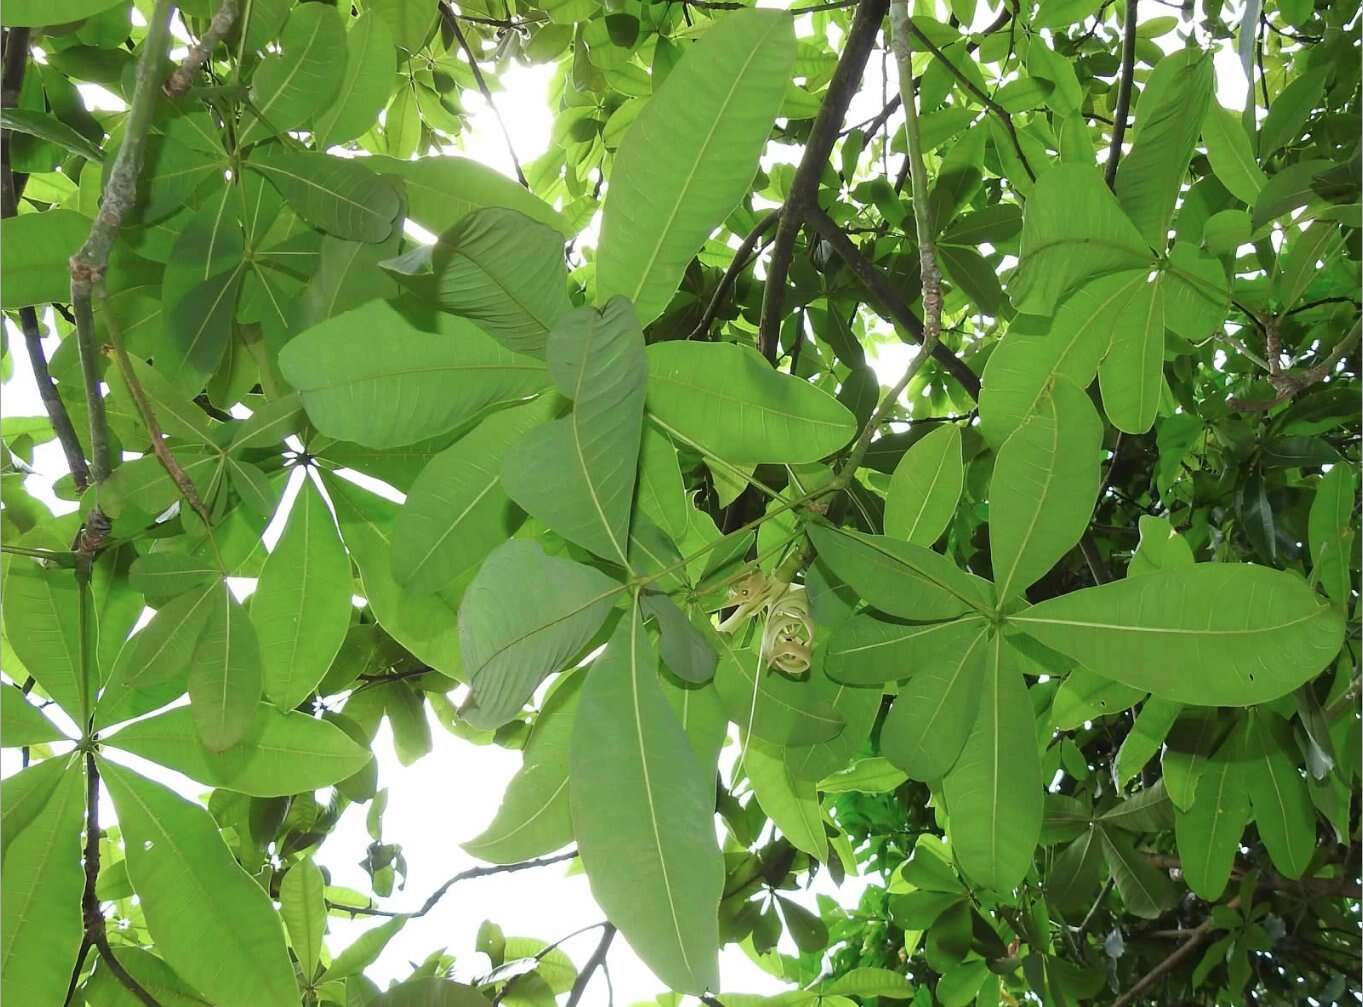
(1043, 490)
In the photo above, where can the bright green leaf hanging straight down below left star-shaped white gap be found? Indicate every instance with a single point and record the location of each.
(302, 606)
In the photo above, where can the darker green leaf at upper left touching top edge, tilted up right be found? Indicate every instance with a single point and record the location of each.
(296, 82)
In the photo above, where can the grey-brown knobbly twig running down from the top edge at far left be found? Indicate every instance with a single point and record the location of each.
(121, 194)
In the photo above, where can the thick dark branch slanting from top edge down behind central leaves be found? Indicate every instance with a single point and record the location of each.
(847, 81)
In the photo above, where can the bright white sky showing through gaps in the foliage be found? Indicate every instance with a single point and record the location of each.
(450, 795)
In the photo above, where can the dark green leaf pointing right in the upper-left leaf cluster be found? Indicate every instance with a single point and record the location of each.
(337, 196)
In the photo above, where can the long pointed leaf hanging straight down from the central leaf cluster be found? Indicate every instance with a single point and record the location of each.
(644, 816)
